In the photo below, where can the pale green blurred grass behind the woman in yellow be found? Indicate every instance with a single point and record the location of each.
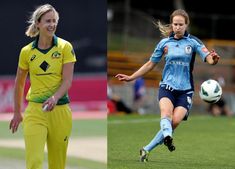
(13, 158)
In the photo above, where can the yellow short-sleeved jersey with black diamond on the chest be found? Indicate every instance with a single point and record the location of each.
(45, 68)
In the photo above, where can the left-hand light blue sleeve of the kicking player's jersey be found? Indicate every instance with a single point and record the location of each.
(158, 52)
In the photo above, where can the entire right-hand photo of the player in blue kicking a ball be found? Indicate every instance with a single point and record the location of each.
(170, 85)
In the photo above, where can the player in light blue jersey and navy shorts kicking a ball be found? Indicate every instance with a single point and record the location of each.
(176, 88)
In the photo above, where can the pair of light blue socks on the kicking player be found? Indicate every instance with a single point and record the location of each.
(166, 130)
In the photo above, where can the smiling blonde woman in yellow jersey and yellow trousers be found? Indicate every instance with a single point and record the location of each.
(49, 61)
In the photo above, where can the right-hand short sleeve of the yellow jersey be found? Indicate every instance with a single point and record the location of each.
(69, 54)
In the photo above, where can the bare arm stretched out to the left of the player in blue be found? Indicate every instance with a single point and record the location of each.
(148, 66)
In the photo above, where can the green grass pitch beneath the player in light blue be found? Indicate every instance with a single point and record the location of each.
(203, 142)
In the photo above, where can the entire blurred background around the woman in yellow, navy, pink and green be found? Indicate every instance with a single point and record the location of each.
(84, 24)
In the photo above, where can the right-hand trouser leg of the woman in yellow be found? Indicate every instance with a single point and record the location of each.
(60, 125)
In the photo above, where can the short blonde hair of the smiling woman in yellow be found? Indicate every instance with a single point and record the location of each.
(32, 30)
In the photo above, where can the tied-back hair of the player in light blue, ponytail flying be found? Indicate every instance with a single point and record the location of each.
(166, 29)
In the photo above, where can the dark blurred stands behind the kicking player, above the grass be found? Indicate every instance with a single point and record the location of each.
(132, 37)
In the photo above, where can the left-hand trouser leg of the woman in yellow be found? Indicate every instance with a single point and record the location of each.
(35, 135)
